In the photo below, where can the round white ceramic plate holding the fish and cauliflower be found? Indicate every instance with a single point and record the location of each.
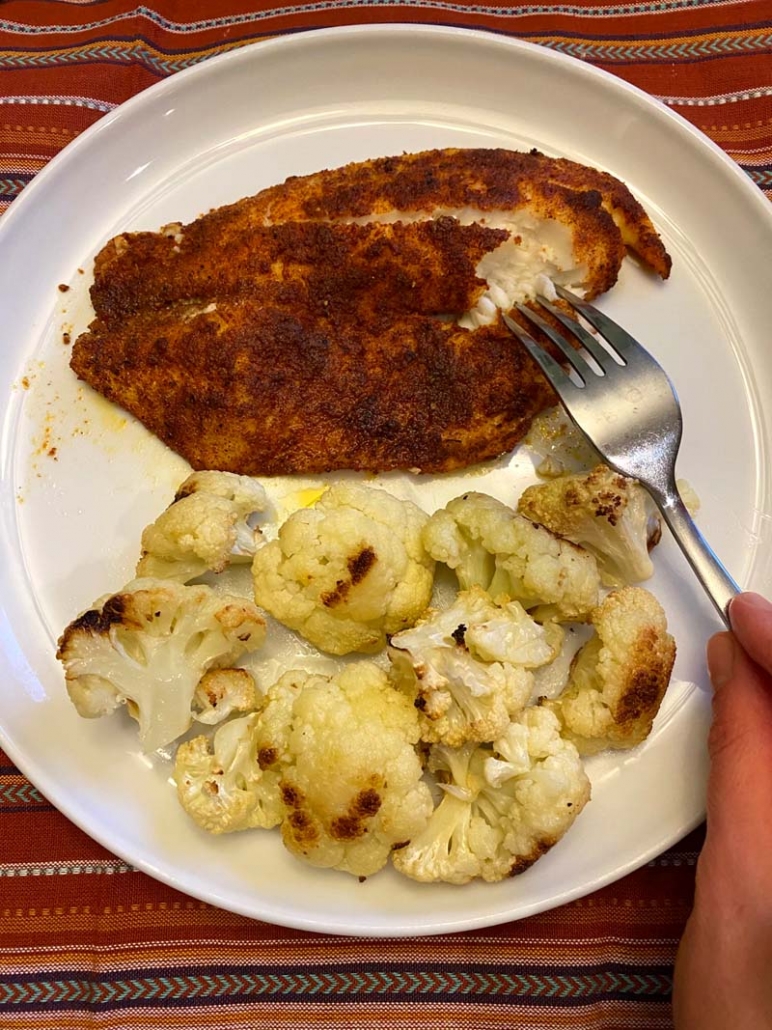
(80, 482)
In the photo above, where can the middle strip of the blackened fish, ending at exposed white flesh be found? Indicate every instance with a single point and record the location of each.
(426, 268)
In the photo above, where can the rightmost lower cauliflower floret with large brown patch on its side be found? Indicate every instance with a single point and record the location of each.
(620, 676)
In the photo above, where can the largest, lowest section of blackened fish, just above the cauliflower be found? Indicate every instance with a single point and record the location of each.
(266, 390)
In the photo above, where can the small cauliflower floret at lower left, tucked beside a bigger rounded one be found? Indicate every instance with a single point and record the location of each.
(221, 784)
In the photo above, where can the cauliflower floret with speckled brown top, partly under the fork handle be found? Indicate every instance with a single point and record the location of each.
(610, 516)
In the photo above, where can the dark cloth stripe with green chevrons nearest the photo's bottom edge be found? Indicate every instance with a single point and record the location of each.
(569, 988)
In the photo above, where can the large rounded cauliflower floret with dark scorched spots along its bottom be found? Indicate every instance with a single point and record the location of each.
(341, 754)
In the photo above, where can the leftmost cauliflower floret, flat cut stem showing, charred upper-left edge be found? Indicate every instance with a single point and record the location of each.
(150, 647)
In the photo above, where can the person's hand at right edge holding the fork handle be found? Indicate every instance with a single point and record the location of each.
(724, 968)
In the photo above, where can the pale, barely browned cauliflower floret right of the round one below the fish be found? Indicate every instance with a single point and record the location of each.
(489, 545)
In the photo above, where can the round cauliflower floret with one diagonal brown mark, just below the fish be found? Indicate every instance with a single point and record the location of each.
(347, 572)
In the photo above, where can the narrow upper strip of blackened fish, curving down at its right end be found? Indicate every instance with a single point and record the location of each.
(603, 215)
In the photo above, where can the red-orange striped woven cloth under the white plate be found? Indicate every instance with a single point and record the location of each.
(88, 942)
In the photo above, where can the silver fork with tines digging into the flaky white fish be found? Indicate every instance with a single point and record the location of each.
(626, 407)
